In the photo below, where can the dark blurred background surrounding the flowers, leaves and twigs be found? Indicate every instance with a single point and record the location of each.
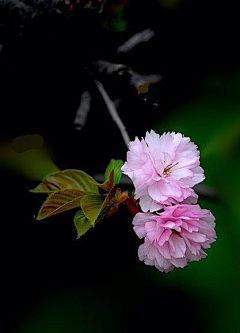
(52, 282)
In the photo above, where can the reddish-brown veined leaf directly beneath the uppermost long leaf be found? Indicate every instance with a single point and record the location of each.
(59, 202)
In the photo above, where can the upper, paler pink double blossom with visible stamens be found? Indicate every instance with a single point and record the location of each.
(163, 170)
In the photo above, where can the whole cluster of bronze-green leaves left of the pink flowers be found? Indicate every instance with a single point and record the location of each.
(75, 189)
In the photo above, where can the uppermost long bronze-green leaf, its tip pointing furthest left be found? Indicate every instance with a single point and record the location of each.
(67, 179)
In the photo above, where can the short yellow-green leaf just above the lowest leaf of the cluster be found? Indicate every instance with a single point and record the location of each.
(92, 206)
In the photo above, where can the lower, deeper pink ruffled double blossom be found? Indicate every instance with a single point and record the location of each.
(175, 236)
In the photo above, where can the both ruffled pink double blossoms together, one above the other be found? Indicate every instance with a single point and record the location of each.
(164, 169)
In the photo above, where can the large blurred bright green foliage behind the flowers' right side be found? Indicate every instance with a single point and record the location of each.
(212, 121)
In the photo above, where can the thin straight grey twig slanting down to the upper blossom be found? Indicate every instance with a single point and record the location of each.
(113, 112)
